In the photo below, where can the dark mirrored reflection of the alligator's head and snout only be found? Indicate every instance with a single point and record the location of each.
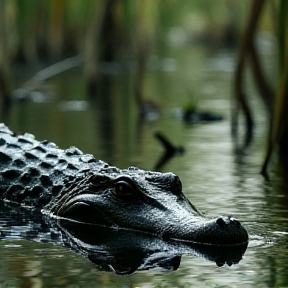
(125, 252)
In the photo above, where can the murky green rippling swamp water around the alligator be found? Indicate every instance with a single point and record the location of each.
(217, 177)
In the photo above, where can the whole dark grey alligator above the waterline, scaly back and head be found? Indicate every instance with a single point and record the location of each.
(71, 185)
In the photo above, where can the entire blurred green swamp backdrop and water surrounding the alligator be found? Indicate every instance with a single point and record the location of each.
(114, 77)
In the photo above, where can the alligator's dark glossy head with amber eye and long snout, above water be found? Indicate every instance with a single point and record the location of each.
(150, 202)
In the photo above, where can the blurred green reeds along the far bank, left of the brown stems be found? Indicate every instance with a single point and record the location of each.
(45, 32)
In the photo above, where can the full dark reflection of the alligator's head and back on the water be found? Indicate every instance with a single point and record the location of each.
(120, 251)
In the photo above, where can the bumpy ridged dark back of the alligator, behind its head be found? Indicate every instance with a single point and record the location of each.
(31, 172)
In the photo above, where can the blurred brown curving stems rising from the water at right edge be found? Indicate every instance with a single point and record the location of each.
(274, 95)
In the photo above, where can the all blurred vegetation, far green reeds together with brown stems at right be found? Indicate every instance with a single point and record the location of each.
(92, 32)
